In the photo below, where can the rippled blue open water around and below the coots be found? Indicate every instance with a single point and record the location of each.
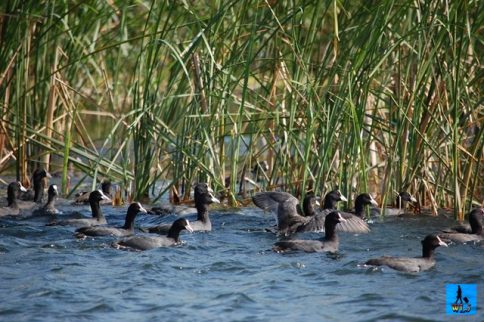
(229, 274)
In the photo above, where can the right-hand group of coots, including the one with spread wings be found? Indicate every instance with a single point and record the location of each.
(330, 220)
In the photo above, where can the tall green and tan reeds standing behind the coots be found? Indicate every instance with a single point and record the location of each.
(364, 95)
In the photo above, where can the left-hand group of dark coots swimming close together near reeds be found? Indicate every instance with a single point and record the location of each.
(97, 225)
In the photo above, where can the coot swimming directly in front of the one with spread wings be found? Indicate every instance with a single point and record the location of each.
(330, 242)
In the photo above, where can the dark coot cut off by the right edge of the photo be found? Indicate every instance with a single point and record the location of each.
(464, 234)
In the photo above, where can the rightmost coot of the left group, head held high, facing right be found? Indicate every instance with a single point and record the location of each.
(203, 198)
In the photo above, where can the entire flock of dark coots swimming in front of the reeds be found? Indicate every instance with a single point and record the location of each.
(291, 218)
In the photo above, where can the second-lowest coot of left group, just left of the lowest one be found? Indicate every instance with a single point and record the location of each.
(127, 230)
